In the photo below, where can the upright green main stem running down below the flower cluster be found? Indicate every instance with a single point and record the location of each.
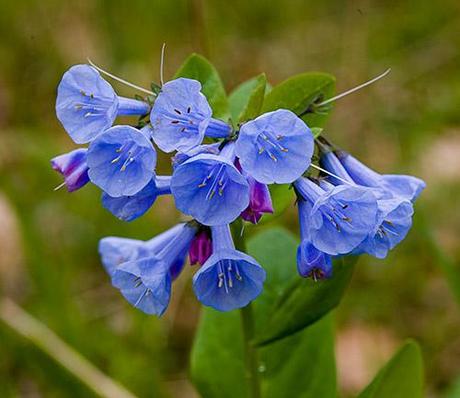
(247, 324)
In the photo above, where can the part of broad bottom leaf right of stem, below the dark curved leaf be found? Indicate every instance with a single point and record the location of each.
(301, 366)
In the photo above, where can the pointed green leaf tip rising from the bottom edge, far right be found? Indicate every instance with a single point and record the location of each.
(401, 377)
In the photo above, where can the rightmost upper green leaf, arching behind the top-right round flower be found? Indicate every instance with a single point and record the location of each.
(299, 93)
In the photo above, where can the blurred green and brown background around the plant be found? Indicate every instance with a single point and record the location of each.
(409, 122)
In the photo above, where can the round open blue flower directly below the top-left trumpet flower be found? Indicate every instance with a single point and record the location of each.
(121, 161)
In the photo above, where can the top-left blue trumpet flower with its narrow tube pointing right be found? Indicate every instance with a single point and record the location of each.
(87, 105)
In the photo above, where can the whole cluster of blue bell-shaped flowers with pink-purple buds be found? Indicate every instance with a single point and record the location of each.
(219, 175)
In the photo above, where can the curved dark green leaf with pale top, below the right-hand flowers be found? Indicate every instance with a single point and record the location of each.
(289, 302)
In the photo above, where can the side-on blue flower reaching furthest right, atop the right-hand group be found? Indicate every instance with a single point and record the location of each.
(405, 186)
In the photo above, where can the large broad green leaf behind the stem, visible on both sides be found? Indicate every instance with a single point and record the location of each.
(217, 366)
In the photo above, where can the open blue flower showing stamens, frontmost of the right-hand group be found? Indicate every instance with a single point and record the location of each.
(340, 218)
